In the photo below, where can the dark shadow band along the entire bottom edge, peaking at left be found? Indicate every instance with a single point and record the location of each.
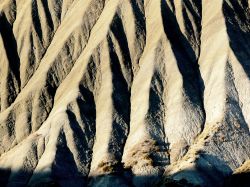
(63, 176)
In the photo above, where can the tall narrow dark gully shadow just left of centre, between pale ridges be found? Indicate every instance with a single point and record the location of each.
(121, 102)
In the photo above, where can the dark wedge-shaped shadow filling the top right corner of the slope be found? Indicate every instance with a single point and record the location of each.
(237, 18)
